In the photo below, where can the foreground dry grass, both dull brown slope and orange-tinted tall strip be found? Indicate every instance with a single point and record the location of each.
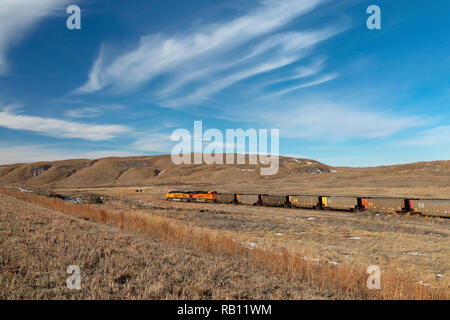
(46, 247)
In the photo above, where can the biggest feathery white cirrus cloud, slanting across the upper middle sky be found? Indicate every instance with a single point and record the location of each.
(203, 47)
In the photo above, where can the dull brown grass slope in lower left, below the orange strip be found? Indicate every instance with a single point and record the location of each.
(38, 244)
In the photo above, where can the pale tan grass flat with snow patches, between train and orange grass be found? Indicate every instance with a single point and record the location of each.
(416, 244)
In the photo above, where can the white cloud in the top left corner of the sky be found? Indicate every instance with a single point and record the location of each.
(19, 16)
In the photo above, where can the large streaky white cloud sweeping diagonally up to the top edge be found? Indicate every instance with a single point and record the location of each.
(217, 55)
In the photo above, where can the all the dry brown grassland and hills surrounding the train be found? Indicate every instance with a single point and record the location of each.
(137, 245)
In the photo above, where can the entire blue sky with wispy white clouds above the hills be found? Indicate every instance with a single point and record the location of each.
(137, 70)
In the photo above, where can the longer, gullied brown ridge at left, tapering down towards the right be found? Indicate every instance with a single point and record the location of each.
(145, 170)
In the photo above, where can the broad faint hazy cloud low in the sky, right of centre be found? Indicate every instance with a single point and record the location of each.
(322, 120)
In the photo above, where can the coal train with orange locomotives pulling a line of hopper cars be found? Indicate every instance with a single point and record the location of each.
(426, 207)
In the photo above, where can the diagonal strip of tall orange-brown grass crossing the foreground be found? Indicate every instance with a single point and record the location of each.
(346, 280)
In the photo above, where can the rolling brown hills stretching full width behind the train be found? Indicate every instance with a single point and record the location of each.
(427, 179)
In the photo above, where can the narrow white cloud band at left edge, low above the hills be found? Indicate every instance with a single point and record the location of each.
(59, 128)
